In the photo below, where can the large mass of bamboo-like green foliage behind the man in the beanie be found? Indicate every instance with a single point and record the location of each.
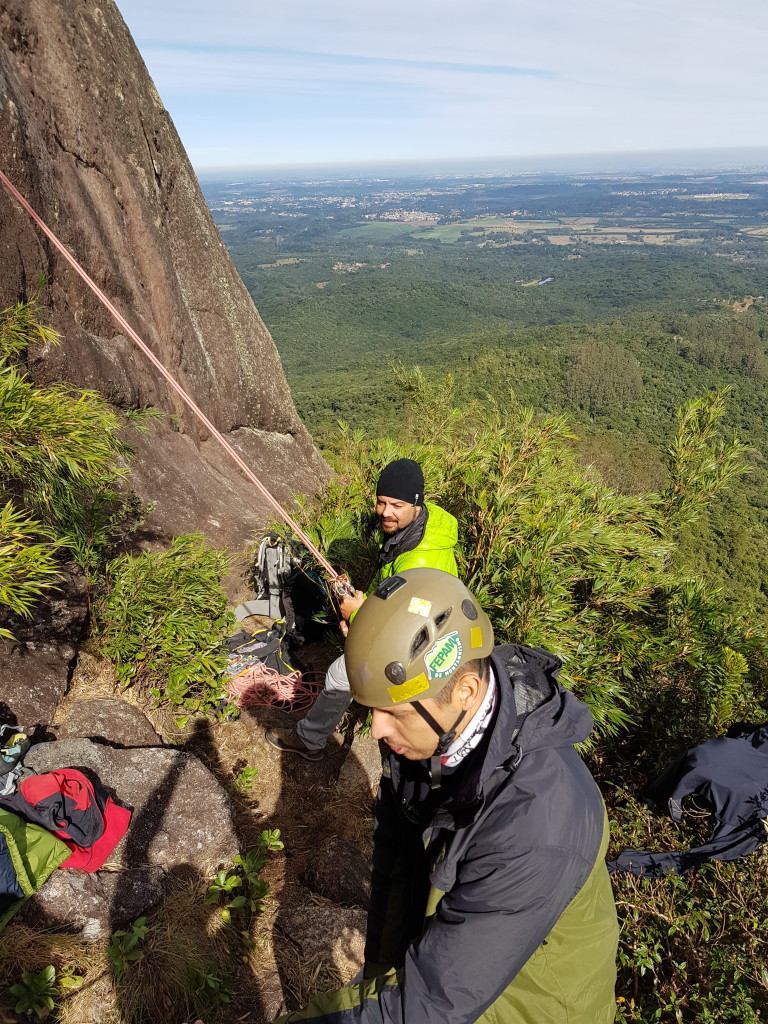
(561, 561)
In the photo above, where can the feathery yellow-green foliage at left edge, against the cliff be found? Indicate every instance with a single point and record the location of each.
(61, 459)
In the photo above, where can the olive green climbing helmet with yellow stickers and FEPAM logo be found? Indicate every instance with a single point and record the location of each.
(411, 635)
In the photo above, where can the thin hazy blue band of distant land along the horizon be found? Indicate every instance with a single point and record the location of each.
(737, 159)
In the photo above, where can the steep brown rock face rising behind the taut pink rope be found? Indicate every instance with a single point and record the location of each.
(86, 139)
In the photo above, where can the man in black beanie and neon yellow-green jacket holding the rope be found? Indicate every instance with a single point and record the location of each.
(416, 534)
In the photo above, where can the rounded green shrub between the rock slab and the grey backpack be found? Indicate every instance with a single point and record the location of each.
(163, 622)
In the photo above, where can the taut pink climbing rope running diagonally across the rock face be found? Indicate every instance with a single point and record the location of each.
(339, 582)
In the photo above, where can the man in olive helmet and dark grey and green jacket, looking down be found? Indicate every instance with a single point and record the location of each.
(491, 901)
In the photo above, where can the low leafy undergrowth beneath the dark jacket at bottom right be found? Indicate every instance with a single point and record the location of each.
(693, 949)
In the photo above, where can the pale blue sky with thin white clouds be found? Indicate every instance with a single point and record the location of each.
(282, 82)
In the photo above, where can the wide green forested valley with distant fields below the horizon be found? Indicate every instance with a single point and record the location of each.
(613, 301)
